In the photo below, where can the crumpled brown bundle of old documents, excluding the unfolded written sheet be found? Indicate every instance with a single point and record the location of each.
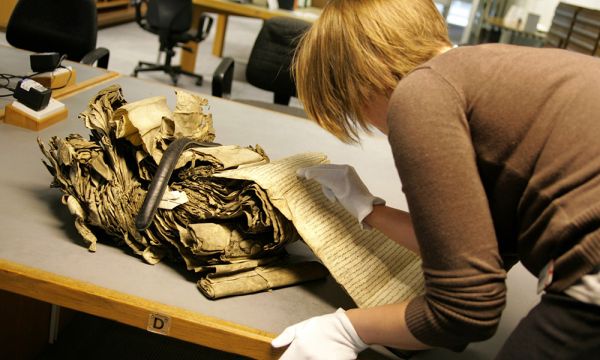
(227, 230)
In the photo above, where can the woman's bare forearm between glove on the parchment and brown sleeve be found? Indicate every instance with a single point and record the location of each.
(395, 224)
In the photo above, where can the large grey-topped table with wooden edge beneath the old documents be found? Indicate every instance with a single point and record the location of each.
(42, 256)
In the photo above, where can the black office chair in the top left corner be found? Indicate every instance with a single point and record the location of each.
(69, 27)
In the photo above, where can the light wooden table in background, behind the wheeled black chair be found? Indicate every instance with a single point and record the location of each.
(224, 8)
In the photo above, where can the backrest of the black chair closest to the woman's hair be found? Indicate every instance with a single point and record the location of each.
(271, 56)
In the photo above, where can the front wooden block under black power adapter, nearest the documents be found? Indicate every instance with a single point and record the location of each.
(18, 115)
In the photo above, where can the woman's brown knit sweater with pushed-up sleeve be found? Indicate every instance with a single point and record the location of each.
(498, 150)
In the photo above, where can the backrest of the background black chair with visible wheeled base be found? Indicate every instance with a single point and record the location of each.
(174, 16)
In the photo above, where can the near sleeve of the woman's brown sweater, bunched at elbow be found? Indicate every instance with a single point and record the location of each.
(464, 277)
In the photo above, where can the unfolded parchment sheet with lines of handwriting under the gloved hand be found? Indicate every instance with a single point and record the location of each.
(373, 269)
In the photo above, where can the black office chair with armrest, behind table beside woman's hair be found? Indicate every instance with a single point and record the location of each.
(269, 63)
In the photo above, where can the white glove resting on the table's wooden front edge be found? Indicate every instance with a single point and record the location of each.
(328, 337)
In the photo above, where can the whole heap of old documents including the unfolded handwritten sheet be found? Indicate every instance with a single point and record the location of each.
(228, 211)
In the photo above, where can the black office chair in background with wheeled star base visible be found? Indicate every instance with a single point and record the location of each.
(170, 20)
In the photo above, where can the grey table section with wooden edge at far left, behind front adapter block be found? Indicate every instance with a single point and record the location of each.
(16, 62)
